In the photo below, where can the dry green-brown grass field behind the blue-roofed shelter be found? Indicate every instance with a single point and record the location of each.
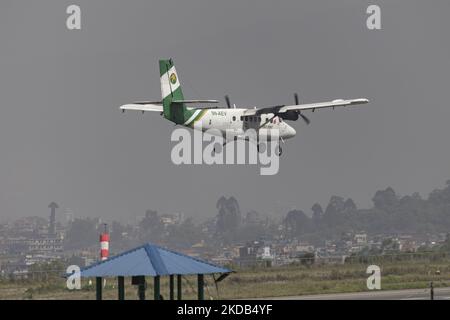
(255, 283)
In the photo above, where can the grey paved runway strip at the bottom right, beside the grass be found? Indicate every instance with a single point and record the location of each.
(409, 294)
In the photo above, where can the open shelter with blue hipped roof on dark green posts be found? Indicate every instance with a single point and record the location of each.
(155, 261)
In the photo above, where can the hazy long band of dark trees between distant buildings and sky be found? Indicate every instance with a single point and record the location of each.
(390, 214)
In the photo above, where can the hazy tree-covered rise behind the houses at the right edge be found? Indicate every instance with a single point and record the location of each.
(390, 214)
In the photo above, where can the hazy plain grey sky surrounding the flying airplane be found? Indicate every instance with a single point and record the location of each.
(63, 139)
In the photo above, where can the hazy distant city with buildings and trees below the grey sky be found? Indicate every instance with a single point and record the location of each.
(341, 231)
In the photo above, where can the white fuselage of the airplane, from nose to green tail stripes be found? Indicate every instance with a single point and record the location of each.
(232, 123)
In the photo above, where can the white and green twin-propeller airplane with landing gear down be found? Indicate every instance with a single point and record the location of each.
(174, 107)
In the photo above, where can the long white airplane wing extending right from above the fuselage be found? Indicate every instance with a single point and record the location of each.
(303, 107)
